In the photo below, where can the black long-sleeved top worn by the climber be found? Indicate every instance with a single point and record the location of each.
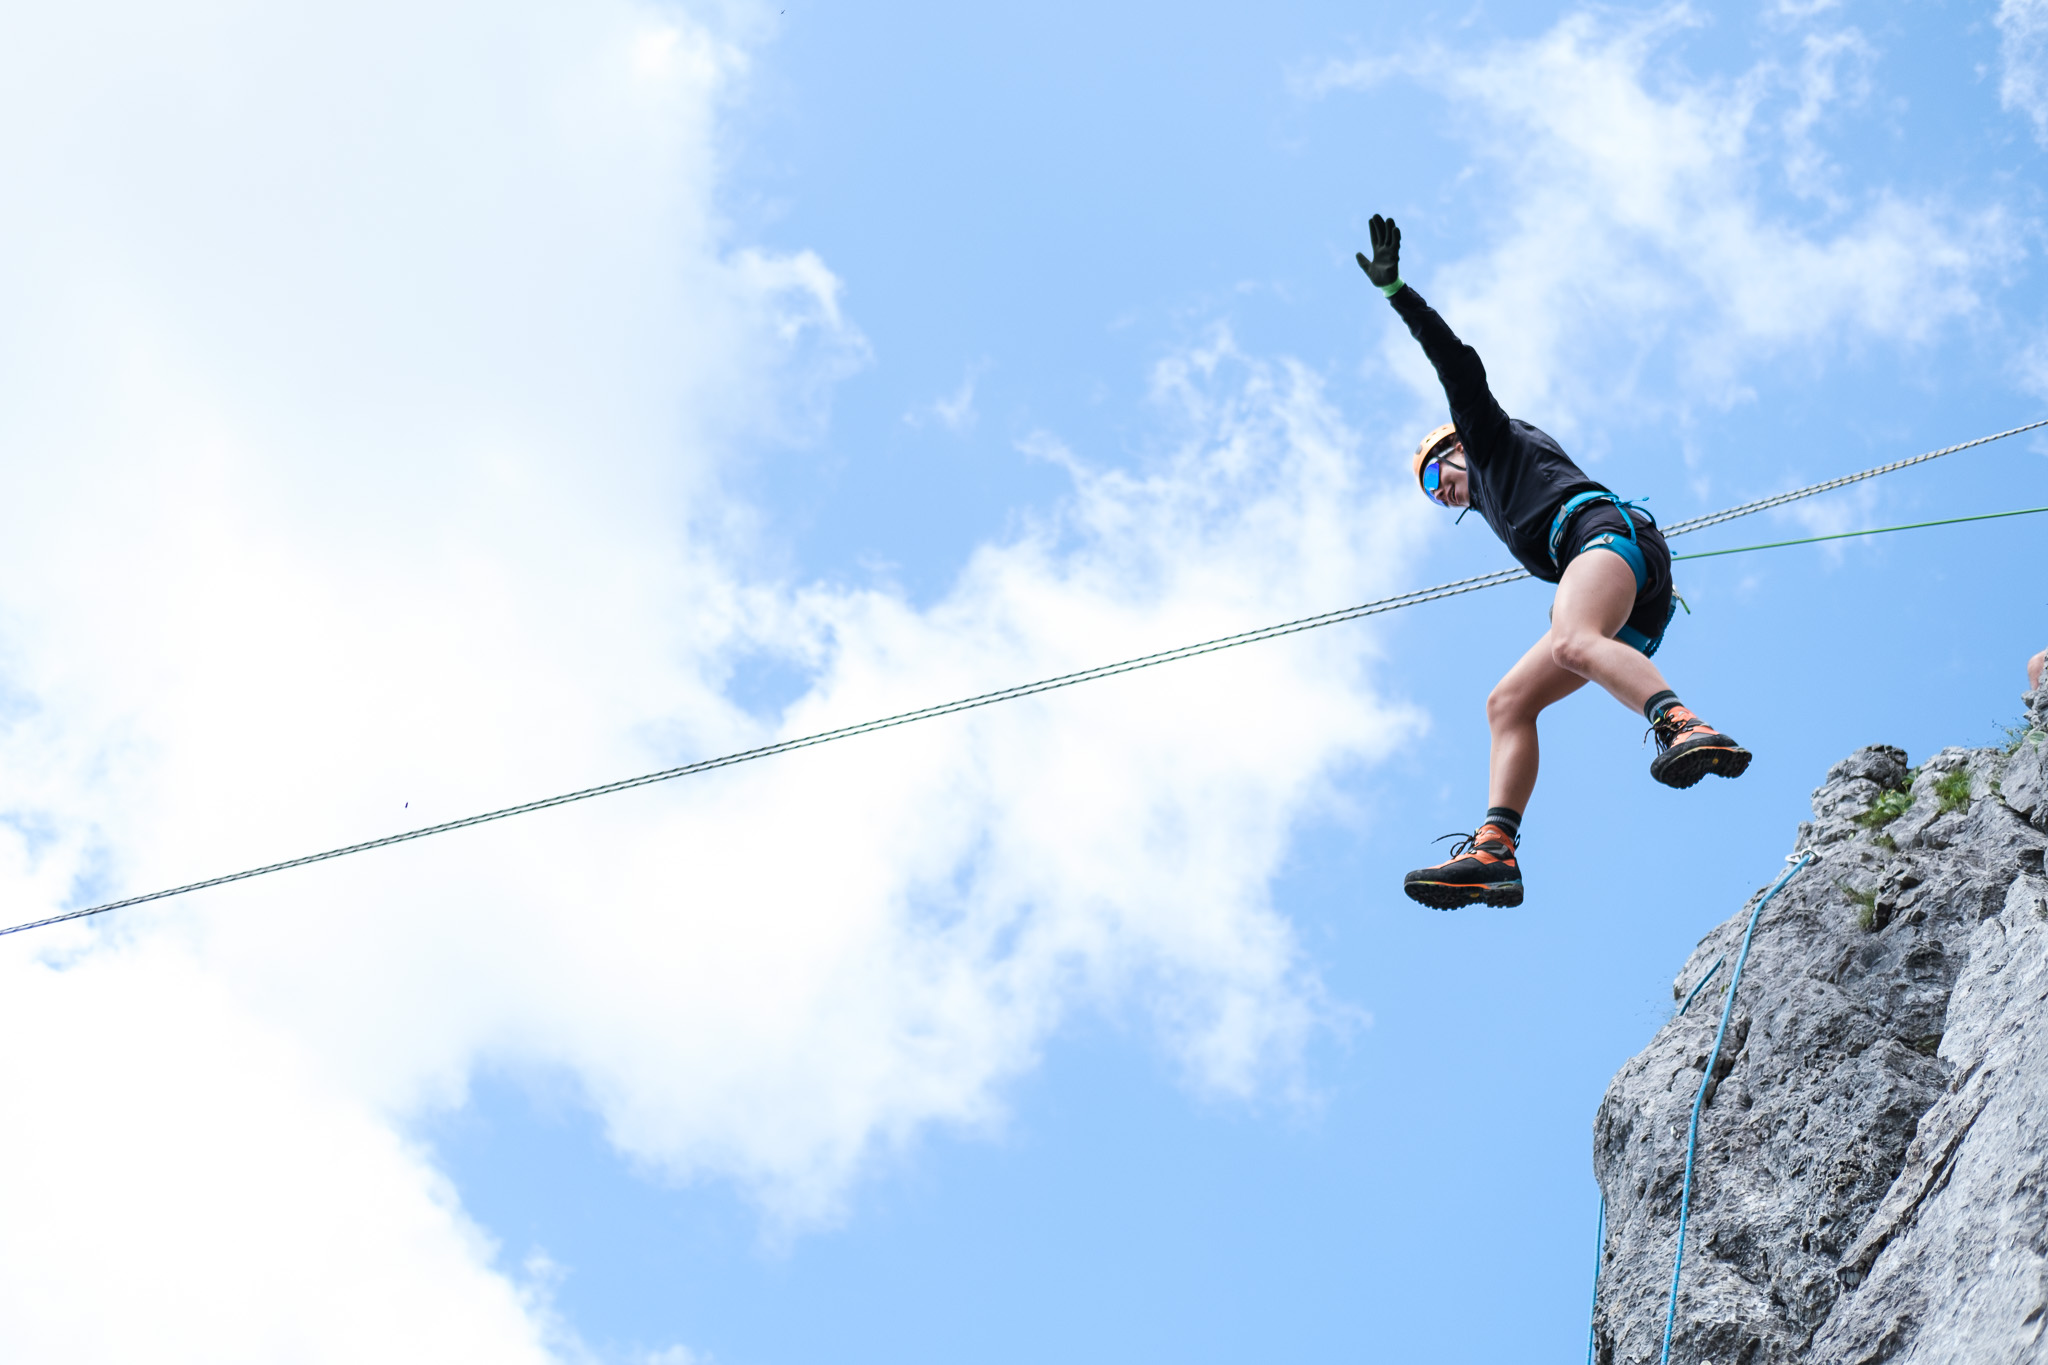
(1519, 478)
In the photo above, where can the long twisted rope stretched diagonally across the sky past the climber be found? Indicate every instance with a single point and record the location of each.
(1007, 695)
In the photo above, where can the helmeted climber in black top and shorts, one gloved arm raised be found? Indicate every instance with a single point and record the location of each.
(1611, 609)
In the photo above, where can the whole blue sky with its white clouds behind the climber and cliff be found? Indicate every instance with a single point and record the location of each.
(427, 408)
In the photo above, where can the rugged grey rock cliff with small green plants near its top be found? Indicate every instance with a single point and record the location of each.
(1873, 1163)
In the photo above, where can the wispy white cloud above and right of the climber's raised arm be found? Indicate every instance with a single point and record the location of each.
(1629, 220)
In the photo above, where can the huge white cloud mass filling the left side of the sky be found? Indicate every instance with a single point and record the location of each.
(366, 406)
